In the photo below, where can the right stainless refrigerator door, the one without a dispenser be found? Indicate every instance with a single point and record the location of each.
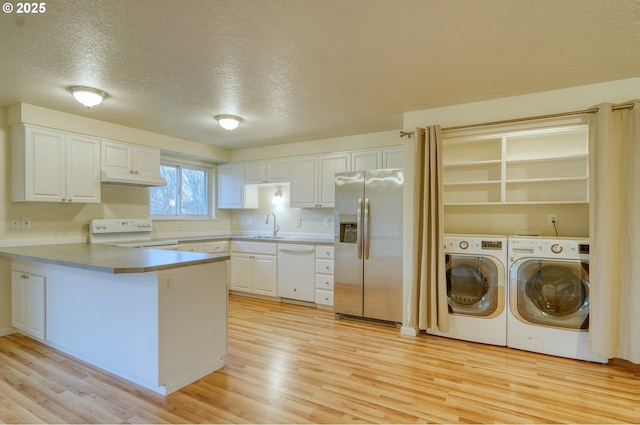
(383, 254)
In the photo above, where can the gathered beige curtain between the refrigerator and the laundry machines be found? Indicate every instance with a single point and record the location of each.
(427, 301)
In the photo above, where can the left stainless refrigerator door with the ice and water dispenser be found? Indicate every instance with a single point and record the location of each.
(348, 289)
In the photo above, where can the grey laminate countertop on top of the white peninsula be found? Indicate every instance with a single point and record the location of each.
(108, 258)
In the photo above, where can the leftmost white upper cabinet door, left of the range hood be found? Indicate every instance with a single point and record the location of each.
(45, 165)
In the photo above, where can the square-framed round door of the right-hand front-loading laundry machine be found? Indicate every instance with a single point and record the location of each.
(552, 293)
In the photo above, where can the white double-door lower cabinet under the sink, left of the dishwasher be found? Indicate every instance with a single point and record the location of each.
(254, 268)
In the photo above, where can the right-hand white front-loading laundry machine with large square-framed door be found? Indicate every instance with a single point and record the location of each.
(549, 296)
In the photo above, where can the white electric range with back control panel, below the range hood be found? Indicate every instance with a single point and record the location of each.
(127, 232)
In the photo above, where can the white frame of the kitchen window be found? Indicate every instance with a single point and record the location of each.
(210, 170)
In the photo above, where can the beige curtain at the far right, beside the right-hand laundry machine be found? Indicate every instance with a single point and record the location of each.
(614, 208)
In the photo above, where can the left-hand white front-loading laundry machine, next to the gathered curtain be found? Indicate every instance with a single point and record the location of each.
(476, 288)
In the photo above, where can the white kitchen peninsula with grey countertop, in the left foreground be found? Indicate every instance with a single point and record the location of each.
(155, 317)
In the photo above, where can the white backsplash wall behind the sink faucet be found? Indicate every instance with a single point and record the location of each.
(312, 221)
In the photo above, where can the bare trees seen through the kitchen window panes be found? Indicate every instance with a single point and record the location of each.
(186, 192)
